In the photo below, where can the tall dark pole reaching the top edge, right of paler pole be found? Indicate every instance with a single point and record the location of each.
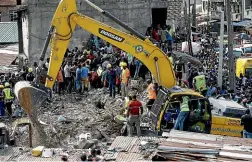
(230, 46)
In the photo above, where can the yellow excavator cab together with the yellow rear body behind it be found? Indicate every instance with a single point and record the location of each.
(165, 110)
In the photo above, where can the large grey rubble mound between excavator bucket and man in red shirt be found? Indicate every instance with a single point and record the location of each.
(72, 115)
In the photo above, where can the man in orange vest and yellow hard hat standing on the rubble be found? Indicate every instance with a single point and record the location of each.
(125, 79)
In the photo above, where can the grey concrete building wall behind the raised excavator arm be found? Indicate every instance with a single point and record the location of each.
(136, 13)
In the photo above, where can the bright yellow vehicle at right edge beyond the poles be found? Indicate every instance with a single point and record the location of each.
(244, 66)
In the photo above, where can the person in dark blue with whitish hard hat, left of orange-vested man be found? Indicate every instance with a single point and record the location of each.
(111, 79)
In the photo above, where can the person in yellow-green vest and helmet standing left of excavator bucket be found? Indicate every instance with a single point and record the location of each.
(8, 98)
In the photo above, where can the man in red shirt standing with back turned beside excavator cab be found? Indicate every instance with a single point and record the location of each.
(135, 109)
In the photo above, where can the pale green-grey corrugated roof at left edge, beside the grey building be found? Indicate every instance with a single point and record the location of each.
(8, 32)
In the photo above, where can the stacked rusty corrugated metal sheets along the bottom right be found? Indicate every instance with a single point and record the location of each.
(228, 148)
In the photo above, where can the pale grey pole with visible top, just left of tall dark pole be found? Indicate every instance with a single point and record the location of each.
(221, 50)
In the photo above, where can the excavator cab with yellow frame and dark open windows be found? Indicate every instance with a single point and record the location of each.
(166, 108)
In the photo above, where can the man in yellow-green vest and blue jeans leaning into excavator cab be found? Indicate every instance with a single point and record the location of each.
(183, 114)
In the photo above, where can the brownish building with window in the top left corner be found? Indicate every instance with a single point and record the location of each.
(8, 10)
